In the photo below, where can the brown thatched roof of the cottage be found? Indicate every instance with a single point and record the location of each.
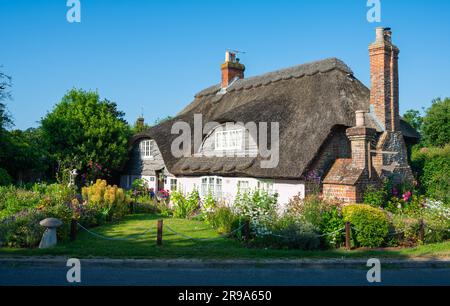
(307, 101)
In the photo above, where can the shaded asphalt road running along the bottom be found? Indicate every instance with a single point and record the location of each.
(93, 274)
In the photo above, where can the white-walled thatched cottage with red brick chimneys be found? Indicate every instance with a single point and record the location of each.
(331, 127)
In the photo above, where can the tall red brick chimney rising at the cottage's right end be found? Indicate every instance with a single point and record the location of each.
(384, 95)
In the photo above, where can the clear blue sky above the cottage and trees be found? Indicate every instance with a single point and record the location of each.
(158, 54)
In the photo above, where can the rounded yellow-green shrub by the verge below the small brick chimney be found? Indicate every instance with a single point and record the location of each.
(371, 225)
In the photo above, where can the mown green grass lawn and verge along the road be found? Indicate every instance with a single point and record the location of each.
(216, 247)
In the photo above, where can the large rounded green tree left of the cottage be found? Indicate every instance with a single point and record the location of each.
(83, 131)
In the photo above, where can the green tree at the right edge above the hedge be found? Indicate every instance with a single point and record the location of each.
(436, 123)
